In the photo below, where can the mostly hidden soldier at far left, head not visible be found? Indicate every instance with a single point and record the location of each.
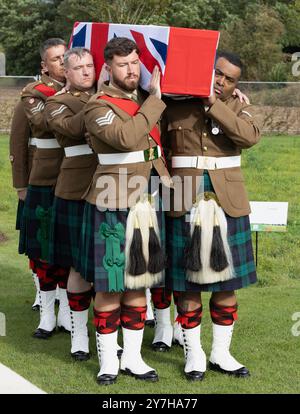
(21, 154)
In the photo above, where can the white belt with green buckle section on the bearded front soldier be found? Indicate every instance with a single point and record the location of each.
(129, 157)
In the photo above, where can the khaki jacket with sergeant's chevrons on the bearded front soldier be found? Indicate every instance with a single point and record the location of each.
(114, 131)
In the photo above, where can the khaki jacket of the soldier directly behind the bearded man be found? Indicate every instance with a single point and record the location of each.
(64, 114)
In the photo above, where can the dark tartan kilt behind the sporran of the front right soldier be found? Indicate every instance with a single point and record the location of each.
(239, 239)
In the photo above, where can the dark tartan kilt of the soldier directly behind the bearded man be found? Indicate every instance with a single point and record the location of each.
(65, 229)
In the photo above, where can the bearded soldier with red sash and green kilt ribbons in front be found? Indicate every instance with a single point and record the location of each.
(120, 226)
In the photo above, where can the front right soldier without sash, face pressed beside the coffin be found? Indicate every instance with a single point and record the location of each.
(206, 138)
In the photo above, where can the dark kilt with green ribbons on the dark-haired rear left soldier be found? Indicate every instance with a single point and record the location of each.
(35, 222)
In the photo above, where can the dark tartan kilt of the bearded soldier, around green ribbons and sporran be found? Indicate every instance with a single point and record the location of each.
(93, 248)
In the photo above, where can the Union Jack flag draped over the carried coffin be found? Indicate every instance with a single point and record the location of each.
(185, 57)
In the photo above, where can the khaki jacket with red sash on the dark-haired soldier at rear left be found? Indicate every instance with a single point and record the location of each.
(46, 162)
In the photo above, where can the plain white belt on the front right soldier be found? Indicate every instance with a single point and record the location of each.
(206, 163)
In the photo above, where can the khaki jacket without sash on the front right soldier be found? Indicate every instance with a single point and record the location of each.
(188, 132)
